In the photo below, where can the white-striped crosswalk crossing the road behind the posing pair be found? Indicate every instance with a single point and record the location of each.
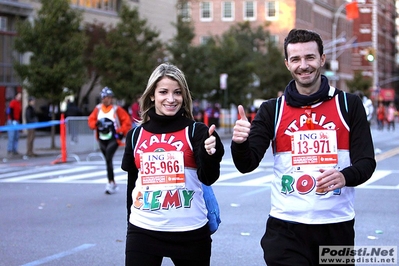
(87, 173)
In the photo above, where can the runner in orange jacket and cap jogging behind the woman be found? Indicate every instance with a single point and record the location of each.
(111, 123)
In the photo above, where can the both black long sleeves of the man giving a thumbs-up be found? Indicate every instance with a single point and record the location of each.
(248, 155)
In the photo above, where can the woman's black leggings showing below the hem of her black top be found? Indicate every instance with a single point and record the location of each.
(135, 258)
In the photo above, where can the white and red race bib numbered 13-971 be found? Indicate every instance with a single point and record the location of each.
(314, 149)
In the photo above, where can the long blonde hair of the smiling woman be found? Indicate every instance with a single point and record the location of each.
(170, 71)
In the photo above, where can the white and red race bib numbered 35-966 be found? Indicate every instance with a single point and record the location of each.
(162, 170)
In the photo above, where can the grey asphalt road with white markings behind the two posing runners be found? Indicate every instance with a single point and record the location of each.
(58, 214)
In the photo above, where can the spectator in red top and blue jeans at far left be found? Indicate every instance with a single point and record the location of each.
(14, 118)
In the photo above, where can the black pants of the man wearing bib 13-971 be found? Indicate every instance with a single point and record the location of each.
(286, 243)
